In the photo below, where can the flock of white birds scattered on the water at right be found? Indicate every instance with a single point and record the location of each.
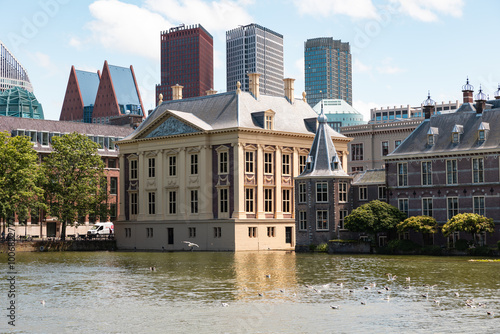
(425, 291)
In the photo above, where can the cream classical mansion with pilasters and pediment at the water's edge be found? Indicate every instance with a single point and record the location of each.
(218, 171)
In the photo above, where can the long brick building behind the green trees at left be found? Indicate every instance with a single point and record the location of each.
(41, 133)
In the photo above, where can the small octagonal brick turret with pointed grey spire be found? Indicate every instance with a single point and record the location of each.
(323, 190)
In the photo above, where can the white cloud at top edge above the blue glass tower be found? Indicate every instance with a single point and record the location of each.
(357, 9)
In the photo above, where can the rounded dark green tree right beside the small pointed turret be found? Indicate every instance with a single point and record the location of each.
(374, 217)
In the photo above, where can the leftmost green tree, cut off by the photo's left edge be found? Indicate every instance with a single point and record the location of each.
(20, 178)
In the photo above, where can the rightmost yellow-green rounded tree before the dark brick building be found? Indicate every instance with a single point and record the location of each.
(470, 223)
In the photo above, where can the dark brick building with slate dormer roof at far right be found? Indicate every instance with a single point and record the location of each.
(450, 164)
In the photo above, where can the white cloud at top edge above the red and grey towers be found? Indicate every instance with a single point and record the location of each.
(213, 15)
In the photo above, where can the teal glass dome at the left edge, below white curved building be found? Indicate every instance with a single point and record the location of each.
(18, 102)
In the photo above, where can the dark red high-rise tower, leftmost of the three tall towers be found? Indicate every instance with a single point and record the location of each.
(187, 59)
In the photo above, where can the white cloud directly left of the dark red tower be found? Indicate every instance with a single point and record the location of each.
(127, 28)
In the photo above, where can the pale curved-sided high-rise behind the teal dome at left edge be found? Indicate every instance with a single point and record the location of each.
(12, 73)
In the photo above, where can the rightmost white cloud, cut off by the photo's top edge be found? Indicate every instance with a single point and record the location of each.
(429, 10)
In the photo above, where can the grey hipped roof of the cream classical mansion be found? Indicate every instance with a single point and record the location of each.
(231, 110)
